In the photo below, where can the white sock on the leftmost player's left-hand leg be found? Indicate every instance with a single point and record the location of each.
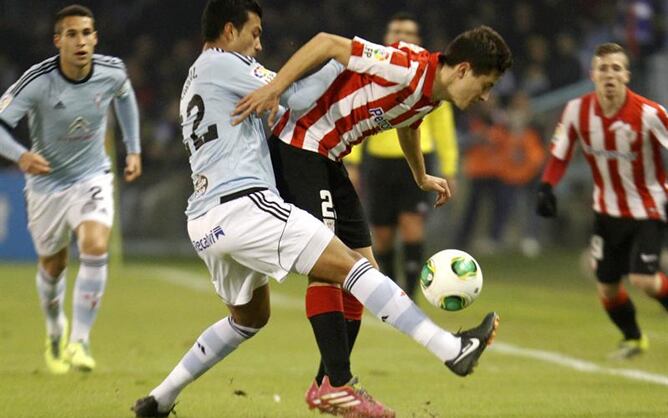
(51, 292)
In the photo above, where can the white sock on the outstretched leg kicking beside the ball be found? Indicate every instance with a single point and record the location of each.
(380, 295)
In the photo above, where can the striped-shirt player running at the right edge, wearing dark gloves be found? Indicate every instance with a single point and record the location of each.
(621, 135)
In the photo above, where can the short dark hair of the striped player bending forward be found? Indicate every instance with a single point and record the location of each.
(483, 48)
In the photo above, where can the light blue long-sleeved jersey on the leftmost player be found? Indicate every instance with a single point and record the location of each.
(67, 119)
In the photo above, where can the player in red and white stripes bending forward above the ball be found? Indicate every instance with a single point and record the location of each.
(380, 88)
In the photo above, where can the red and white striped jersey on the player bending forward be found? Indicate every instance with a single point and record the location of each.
(383, 87)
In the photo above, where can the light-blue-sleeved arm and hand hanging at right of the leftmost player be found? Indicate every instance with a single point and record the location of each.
(127, 113)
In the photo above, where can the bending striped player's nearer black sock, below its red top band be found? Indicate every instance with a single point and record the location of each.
(329, 330)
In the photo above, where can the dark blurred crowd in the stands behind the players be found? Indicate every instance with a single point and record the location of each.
(552, 42)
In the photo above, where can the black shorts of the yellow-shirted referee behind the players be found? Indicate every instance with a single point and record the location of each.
(391, 189)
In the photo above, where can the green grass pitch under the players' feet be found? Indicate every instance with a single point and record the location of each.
(148, 321)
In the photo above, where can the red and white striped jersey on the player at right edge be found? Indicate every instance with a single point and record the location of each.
(623, 152)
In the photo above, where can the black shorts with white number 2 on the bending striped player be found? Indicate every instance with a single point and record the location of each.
(321, 187)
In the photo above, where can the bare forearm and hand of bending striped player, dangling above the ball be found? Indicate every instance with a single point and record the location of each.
(409, 139)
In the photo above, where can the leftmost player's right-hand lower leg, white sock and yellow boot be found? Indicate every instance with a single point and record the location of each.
(88, 290)
